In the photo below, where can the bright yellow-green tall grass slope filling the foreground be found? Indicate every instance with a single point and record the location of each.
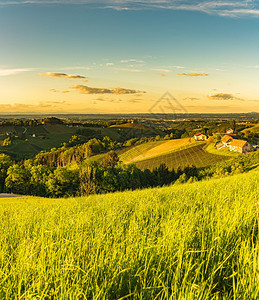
(191, 241)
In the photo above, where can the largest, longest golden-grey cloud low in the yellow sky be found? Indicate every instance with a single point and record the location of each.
(83, 89)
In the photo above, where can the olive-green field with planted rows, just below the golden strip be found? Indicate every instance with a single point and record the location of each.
(195, 155)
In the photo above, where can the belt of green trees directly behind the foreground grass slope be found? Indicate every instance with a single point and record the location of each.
(85, 178)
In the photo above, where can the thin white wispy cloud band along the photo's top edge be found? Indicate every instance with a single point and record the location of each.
(227, 8)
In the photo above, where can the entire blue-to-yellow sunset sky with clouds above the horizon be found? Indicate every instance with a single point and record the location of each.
(114, 56)
